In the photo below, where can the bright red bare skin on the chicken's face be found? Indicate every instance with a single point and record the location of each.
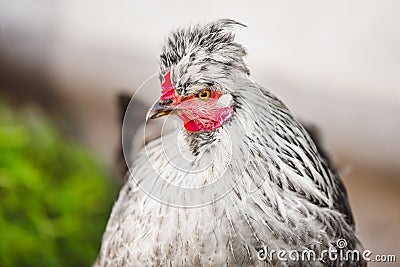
(197, 114)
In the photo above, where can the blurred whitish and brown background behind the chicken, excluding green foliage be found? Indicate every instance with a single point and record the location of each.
(334, 63)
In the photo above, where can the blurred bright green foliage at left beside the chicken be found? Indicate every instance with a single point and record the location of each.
(54, 196)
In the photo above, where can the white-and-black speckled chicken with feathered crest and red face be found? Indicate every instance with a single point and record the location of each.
(239, 179)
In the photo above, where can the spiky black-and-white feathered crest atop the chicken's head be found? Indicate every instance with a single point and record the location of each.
(213, 42)
